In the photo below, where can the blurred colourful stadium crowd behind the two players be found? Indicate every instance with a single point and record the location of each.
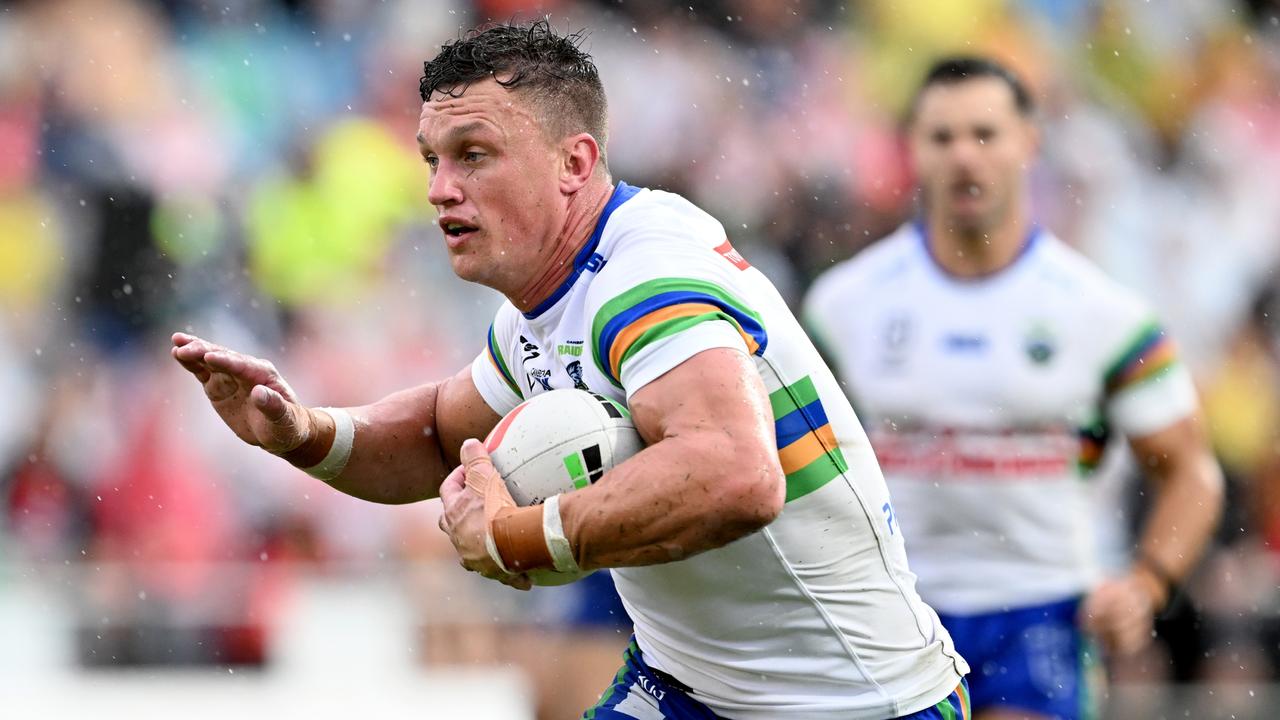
(246, 170)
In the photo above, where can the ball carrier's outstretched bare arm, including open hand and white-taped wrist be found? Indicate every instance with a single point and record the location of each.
(403, 446)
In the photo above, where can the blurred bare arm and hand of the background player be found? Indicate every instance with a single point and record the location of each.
(1188, 502)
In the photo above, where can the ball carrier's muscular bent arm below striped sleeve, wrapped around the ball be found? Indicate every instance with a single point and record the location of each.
(710, 476)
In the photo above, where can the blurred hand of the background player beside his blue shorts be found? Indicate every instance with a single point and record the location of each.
(1122, 613)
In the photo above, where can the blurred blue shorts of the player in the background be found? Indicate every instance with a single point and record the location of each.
(1032, 659)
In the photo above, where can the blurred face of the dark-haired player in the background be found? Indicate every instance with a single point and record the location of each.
(971, 151)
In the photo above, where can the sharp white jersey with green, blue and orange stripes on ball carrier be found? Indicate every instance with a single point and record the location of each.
(813, 617)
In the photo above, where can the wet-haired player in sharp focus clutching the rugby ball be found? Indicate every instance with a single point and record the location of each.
(752, 540)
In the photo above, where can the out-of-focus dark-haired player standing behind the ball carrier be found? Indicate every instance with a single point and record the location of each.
(991, 364)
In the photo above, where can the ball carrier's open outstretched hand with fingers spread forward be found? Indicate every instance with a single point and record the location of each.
(248, 393)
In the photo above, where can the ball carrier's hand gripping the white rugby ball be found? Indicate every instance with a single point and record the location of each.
(473, 496)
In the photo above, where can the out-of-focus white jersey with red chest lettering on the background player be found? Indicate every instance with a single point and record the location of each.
(990, 402)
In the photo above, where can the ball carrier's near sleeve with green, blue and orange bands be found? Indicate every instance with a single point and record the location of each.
(659, 325)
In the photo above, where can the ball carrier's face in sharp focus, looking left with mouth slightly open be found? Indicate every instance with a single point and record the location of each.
(493, 183)
